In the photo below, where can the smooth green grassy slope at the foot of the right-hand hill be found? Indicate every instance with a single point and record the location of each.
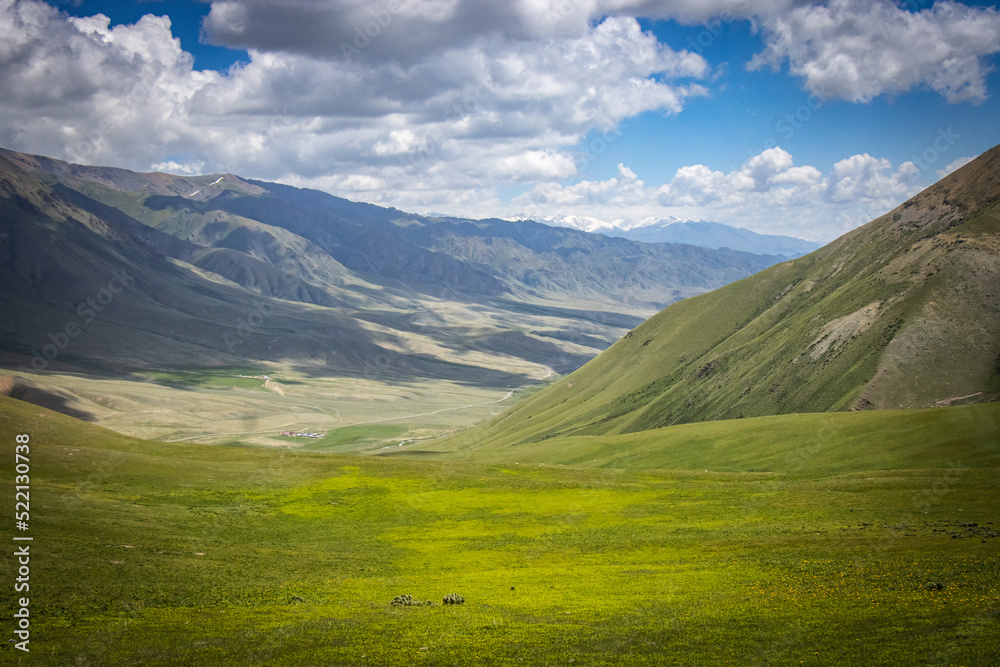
(808, 444)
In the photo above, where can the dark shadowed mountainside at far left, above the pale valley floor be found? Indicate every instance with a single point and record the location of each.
(96, 289)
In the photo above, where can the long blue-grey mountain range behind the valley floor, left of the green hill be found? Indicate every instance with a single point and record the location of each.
(104, 268)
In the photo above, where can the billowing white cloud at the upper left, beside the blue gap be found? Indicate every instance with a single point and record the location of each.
(79, 89)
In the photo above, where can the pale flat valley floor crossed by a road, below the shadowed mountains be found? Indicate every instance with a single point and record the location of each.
(226, 405)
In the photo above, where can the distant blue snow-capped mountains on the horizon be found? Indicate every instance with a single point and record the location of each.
(693, 232)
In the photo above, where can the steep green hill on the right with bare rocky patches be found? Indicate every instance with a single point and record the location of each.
(903, 312)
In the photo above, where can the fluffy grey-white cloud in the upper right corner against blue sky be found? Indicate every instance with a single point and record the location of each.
(859, 49)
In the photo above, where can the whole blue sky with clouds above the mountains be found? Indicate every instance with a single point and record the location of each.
(799, 117)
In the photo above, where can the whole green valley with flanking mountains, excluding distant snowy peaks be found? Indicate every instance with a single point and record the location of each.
(257, 416)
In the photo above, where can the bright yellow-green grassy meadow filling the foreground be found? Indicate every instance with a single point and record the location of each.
(146, 553)
